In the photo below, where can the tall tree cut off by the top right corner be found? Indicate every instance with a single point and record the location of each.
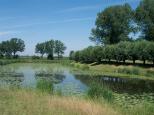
(145, 19)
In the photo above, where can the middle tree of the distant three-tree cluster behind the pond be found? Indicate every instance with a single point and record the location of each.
(50, 49)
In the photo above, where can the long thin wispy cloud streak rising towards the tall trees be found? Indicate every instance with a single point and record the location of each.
(49, 22)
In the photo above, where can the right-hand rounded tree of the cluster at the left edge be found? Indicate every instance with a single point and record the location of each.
(17, 45)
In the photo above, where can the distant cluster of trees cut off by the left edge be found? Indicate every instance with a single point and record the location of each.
(9, 48)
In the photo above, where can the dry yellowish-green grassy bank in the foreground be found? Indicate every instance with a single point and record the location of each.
(27, 102)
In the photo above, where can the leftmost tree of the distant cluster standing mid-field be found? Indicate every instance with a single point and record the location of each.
(40, 48)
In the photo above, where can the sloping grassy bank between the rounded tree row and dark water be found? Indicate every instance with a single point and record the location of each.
(124, 71)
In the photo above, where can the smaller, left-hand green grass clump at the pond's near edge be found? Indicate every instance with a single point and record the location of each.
(45, 86)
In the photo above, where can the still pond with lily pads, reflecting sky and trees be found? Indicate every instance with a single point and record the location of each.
(127, 92)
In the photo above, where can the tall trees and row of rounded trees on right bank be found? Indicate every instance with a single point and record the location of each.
(113, 31)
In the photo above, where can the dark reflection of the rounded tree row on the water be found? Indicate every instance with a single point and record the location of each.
(120, 85)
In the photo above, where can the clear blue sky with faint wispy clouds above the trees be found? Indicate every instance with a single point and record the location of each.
(40, 20)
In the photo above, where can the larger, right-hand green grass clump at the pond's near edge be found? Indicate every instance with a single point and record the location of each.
(97, 91)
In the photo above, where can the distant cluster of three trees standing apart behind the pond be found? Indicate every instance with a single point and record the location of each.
(50, 48)
